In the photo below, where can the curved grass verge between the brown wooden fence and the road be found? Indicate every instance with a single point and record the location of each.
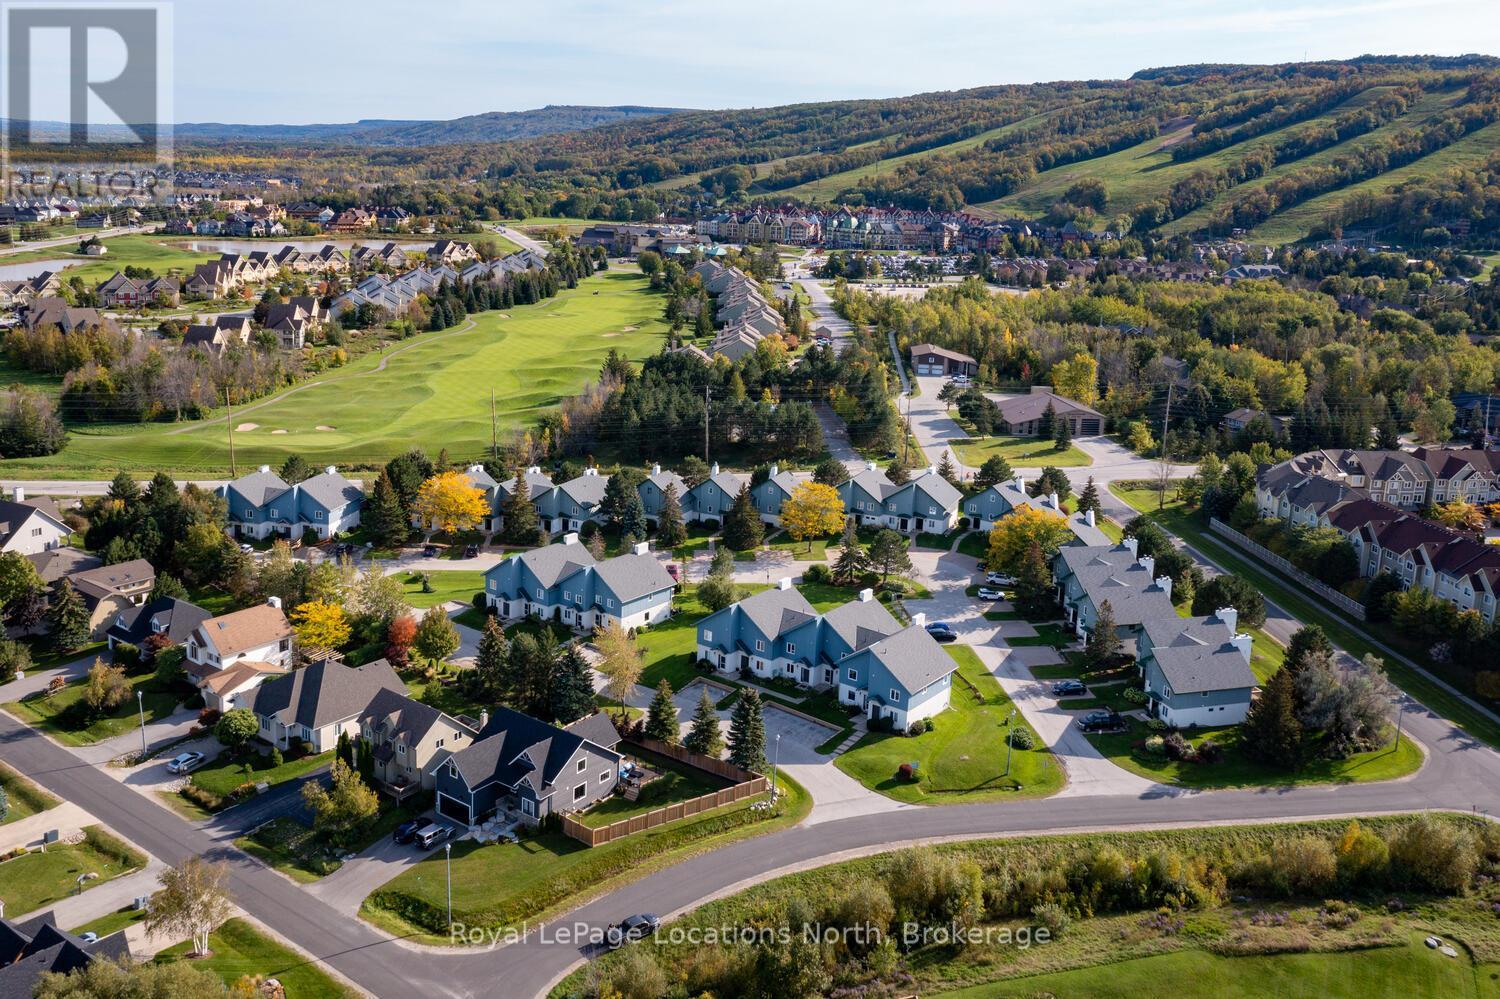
(548, 874)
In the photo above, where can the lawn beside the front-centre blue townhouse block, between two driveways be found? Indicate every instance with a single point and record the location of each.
(964, 758)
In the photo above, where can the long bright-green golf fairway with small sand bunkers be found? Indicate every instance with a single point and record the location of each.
(434, 392)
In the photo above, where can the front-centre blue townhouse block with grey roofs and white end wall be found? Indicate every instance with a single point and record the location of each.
(877, 665)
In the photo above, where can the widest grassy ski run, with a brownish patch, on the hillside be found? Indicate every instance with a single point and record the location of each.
(1147, 170)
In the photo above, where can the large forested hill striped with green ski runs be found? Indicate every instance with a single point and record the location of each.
(1280, 151)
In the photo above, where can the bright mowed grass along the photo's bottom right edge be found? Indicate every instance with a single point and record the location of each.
(1412, 971)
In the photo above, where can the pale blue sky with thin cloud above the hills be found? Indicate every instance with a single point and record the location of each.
(338, 61)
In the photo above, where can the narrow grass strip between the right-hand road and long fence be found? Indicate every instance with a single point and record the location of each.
(1354, 640)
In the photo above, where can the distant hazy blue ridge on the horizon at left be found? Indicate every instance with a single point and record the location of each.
(493, 127)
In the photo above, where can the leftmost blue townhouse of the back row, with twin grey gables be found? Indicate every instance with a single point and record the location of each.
(262, 505)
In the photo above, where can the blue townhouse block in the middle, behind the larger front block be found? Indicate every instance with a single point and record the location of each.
(565, 584)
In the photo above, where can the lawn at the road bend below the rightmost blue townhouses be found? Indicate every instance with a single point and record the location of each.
(1237, 770)
